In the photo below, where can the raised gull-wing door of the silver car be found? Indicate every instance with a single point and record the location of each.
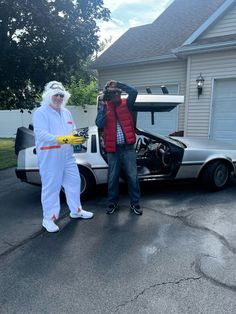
(156, 103)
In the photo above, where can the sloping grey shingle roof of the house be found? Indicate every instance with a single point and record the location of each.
(168, 31)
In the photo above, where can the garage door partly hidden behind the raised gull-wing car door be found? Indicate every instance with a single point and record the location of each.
(165, 122)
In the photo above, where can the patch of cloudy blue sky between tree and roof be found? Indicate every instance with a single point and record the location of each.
(130, 13)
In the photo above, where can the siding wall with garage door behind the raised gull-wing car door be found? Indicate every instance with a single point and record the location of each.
(172, 75)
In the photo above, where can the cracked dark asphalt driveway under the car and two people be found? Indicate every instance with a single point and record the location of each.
(179, 257)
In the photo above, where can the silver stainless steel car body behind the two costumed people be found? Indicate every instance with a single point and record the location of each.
(182, 158)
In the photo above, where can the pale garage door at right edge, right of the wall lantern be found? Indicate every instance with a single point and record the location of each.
(223, 125)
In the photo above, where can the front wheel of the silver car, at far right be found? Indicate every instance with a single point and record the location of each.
(215, 176)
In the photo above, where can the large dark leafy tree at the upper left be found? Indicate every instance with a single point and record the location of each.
(43, 40)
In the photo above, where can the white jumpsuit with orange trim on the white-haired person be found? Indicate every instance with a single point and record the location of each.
(56, 162)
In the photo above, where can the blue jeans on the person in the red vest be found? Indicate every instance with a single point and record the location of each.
(125, 156)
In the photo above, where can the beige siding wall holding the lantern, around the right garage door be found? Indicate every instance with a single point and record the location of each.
(213, 66)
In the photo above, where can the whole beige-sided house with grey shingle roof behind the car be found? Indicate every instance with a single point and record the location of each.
(190, 38)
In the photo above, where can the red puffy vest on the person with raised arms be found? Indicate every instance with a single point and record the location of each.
(125, 118)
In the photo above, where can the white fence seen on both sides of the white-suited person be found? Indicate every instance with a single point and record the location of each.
(10, 120)
